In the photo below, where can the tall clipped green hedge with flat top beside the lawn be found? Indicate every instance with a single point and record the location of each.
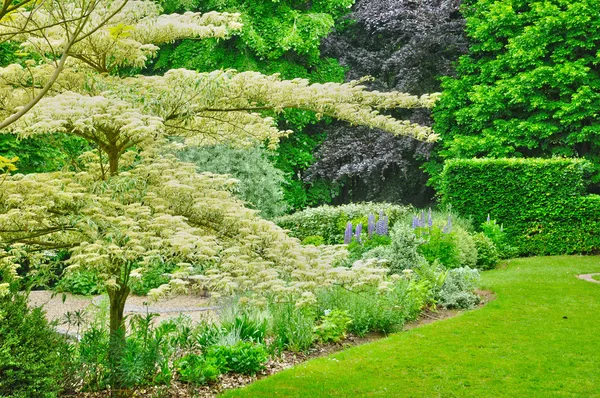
(541, 202)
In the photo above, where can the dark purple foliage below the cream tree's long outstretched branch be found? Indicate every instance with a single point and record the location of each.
(372, 165)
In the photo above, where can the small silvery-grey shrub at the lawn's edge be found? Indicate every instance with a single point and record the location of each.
(458, 287)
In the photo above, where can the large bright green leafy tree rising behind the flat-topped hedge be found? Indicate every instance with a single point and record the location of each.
(529, 85)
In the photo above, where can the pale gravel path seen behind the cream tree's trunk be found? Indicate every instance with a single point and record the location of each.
(197, 307)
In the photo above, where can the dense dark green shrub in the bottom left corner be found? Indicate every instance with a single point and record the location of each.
(30, 360)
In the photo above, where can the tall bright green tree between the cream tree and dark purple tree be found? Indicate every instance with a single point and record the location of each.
(278, 37)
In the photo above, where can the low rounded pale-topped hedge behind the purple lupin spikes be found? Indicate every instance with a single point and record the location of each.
(330, 221)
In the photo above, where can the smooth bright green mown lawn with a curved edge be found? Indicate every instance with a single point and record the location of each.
(539, 338)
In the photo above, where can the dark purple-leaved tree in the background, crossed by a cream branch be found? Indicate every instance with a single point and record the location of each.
(405, 45)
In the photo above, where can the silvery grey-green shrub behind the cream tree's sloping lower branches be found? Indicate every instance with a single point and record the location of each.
(260, 183)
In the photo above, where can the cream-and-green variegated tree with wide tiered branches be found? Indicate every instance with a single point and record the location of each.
(134, 206)
